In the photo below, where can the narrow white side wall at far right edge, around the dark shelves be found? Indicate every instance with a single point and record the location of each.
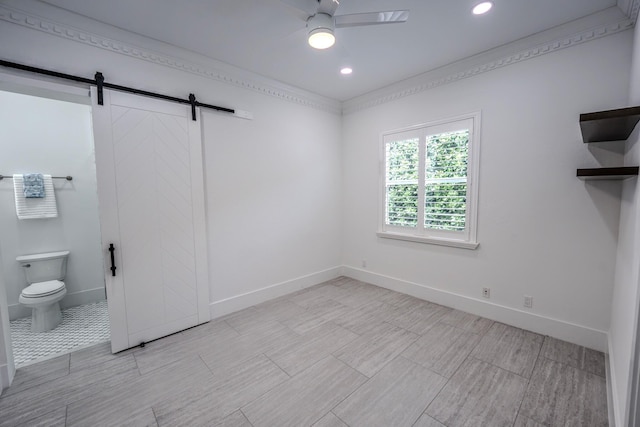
(624, 308)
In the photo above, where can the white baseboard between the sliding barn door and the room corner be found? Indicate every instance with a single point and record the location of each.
(239, 302)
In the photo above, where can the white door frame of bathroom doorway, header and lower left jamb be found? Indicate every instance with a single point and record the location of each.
(16, 83)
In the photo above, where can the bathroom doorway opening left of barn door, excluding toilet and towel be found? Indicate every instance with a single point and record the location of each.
(47, 134)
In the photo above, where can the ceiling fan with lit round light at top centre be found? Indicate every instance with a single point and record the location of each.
(321, 21)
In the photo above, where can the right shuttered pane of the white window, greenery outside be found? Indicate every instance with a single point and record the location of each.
(446, 180)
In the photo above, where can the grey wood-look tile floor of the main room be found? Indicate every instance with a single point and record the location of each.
(342, 353)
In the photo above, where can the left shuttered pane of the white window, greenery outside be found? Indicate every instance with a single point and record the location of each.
(402, 183)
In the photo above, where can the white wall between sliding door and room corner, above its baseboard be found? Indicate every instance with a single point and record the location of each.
(273, 196)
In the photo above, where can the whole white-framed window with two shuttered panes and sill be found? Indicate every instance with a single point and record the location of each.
(430, 182)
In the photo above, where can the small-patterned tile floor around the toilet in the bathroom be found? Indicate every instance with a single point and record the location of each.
(81, 326)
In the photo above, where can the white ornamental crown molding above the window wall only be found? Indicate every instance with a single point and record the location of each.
(427, 81)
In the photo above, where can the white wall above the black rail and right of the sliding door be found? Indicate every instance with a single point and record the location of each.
(272, 183)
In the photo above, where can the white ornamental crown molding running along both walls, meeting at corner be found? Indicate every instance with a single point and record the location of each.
(426, 81)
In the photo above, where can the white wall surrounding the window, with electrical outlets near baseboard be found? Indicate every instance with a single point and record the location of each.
(542, 231)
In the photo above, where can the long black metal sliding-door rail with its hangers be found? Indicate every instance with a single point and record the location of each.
(100, 83)
